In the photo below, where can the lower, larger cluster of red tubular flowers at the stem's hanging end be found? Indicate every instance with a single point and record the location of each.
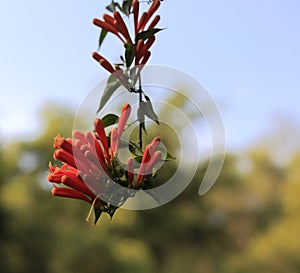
(89, 165)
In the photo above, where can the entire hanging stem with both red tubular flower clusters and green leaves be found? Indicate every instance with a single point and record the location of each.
(88, 166)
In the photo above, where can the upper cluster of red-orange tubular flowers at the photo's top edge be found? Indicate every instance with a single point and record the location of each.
(137, 49)
